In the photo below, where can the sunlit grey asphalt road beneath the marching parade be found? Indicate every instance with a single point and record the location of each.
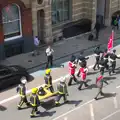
(81, 105)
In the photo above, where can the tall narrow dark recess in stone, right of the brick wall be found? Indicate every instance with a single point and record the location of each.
(41, 20)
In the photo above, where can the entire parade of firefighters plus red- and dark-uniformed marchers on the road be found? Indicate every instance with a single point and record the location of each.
(102, 60)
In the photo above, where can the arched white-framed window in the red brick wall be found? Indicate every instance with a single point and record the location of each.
(11, 19)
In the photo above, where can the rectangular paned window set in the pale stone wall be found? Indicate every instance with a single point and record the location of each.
(60, 11)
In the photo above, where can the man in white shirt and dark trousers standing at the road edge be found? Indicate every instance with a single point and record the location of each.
(49, 53)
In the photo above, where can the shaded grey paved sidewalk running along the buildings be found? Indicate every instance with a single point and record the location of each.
(62, 49)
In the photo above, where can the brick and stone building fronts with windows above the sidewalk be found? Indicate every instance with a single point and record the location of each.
(45, 19)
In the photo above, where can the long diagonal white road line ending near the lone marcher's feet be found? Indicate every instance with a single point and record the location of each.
(73, 109)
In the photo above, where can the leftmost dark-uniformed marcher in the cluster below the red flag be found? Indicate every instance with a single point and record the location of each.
(97, 52)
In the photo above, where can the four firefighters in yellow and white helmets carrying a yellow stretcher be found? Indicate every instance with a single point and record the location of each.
(34, 101)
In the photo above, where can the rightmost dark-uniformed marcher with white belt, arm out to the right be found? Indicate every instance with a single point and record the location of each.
(113, 58)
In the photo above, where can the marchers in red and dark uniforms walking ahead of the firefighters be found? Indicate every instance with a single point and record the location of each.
(104, 60)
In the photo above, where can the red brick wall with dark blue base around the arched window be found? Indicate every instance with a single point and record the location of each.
(26, 21)
